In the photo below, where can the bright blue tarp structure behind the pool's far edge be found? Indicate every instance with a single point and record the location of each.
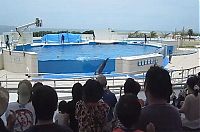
(56, 38)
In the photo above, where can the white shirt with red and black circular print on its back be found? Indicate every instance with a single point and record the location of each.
(25, 115)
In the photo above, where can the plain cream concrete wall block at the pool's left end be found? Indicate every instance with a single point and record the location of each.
(19, 62)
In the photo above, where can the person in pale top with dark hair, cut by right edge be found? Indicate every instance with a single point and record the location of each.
(191, 105)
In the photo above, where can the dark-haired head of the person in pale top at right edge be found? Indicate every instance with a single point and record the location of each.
(193, 84)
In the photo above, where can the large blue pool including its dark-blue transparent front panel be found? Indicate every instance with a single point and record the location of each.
(83, 58)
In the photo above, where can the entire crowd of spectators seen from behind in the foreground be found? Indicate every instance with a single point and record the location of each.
(94, 108)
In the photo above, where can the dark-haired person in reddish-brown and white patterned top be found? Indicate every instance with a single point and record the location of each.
(91, 113)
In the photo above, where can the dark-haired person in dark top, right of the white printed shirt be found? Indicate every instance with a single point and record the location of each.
(45, 101)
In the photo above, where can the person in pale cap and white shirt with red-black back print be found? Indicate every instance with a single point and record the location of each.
(22, 110)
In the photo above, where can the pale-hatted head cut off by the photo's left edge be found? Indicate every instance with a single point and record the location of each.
(4, 98)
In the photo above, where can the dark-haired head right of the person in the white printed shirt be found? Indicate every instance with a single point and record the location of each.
(45, 101)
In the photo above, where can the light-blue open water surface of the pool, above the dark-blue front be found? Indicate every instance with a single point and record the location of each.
(90, 52)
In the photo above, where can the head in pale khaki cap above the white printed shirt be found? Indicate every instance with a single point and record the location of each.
(24, 93)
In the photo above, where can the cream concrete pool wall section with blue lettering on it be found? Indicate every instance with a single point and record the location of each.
(136, 64)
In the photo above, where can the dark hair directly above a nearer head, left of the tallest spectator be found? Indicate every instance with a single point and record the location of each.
(131, 86)
